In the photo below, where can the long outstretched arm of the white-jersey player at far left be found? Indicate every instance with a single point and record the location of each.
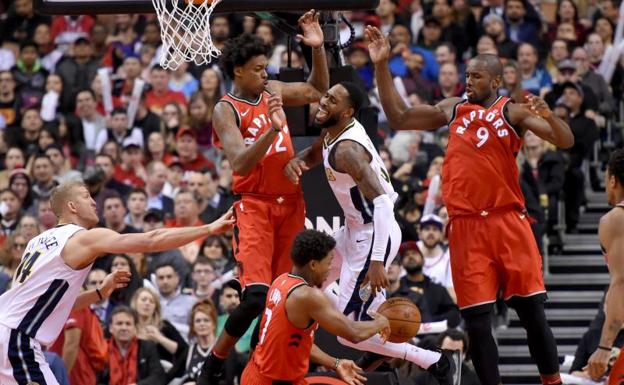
(85, 246)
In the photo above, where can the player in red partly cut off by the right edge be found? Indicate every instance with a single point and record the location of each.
(612, 240)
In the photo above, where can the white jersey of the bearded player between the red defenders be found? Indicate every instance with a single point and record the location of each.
(357, 209)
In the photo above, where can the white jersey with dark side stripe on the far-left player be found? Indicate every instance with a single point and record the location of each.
(44, 287)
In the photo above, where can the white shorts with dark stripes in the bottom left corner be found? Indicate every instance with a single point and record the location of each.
(22, 361)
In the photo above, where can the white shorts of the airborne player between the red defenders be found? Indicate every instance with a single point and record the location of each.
(351, 260)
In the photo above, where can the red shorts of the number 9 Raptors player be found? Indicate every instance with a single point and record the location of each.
(494, 252)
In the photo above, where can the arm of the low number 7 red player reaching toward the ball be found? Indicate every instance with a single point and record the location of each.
(312, 301)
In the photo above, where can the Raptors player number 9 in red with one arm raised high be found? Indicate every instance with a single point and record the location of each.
(491, 244)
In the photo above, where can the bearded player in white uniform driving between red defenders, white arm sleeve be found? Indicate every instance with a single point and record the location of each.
(370, 239)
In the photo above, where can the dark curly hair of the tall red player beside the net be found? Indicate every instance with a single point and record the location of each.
(239, 51)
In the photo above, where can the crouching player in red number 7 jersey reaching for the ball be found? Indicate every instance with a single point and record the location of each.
(295, 308)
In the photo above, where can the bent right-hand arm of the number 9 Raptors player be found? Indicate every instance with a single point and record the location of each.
(537, 117)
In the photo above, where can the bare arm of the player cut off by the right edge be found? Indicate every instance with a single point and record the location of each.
(611, 237)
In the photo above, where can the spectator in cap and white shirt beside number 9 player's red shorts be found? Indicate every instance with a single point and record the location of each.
(437, 264)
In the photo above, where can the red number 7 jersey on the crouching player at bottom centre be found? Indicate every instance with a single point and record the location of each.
(283, 352)
